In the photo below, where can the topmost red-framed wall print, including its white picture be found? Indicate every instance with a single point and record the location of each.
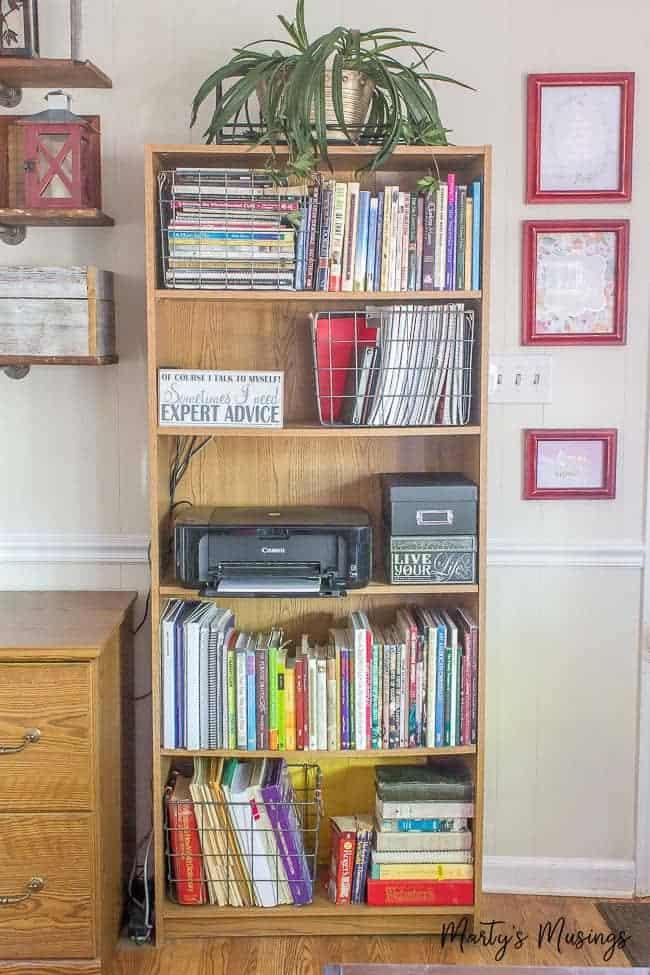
(580, 132)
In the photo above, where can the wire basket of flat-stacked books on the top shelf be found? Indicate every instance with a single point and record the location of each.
(223, 229)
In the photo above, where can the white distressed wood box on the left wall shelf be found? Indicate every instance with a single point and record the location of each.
(57, 314)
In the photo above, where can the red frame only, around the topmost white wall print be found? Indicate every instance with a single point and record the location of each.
(535, 193)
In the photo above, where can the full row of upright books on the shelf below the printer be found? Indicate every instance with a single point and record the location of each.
(409, 684)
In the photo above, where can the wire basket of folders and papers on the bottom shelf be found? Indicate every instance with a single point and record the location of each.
(257, 846)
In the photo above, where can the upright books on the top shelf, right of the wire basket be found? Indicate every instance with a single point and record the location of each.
(352, 240)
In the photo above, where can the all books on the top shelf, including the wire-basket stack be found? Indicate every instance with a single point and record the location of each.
(236, 228)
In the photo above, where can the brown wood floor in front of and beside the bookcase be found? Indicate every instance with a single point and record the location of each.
(306, 956)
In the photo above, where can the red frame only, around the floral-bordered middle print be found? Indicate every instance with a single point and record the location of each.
(532, 229)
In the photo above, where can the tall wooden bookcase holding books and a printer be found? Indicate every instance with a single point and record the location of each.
(303, 463)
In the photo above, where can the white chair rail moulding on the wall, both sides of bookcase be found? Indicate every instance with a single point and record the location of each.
(50, 548)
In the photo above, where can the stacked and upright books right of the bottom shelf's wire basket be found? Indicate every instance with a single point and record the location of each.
(419, 850)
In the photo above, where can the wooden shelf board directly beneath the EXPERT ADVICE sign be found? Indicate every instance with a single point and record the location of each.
(312, 430)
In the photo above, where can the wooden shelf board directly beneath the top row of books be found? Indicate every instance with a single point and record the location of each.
(313, 297)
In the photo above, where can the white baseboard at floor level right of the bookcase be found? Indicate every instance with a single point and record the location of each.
(569, 877)
